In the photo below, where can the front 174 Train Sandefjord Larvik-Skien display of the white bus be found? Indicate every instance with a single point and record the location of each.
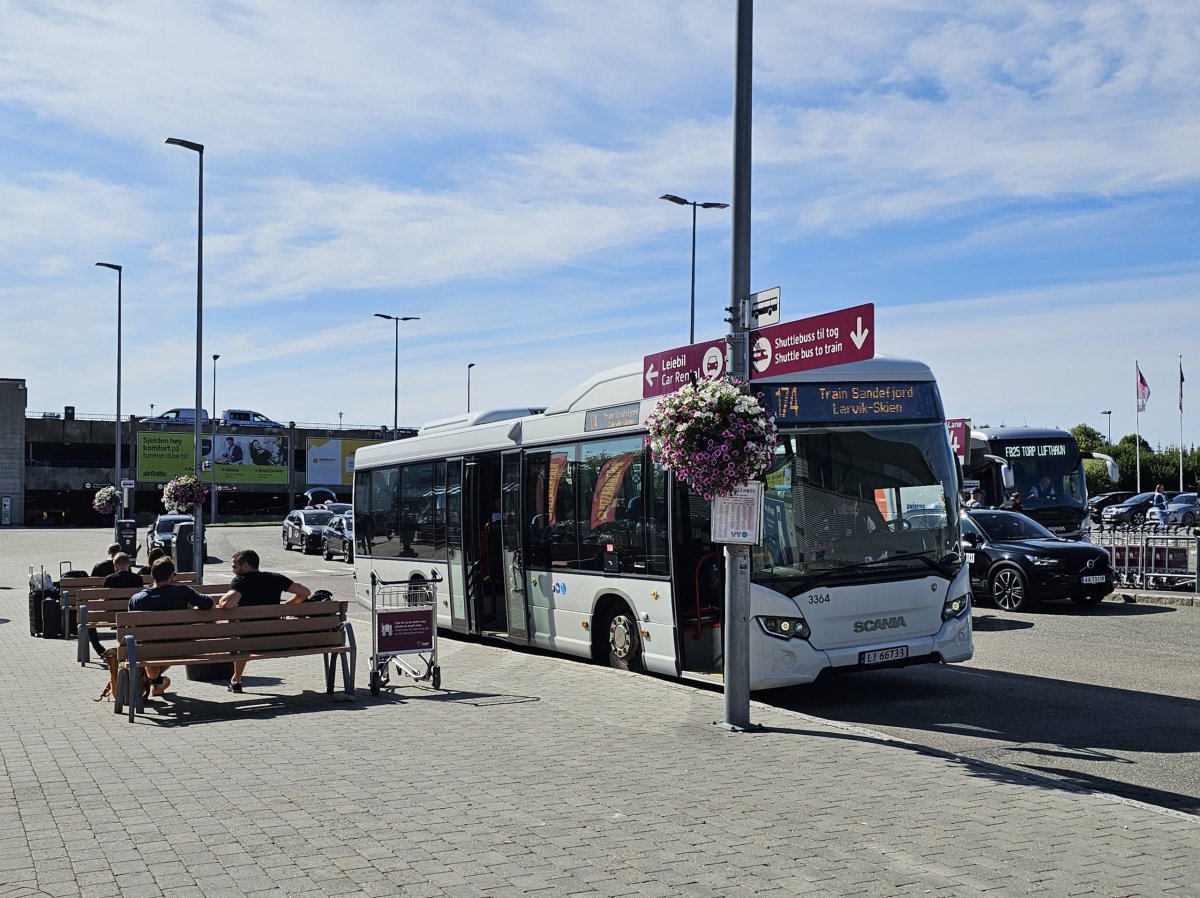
(832, 403)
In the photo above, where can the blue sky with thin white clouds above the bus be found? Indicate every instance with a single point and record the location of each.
(1013, 184)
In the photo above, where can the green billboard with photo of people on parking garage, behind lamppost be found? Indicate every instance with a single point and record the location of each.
(239, 459)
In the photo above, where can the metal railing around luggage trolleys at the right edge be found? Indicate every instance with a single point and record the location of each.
(1153, 558)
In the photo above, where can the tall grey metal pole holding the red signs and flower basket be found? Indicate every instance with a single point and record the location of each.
(737, 558)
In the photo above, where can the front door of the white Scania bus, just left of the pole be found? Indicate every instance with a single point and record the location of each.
(698, 582)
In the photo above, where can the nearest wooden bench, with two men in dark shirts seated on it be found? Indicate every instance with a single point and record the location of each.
(248, 633)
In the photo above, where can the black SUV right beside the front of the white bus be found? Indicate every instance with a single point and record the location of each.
(1018, 562)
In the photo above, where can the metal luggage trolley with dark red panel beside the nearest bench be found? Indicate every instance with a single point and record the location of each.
(405, 622)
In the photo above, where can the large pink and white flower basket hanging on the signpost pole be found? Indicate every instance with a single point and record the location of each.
(713, 435)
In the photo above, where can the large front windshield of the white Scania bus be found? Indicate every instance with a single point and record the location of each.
(857, 505)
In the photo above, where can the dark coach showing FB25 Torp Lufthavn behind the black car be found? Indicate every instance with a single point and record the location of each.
(1042, 464)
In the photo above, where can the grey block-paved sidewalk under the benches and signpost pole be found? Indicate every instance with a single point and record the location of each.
(529, 776)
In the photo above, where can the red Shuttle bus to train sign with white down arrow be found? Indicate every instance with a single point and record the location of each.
(820, 342)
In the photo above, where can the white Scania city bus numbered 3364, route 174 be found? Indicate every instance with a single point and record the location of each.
(555, 529)
